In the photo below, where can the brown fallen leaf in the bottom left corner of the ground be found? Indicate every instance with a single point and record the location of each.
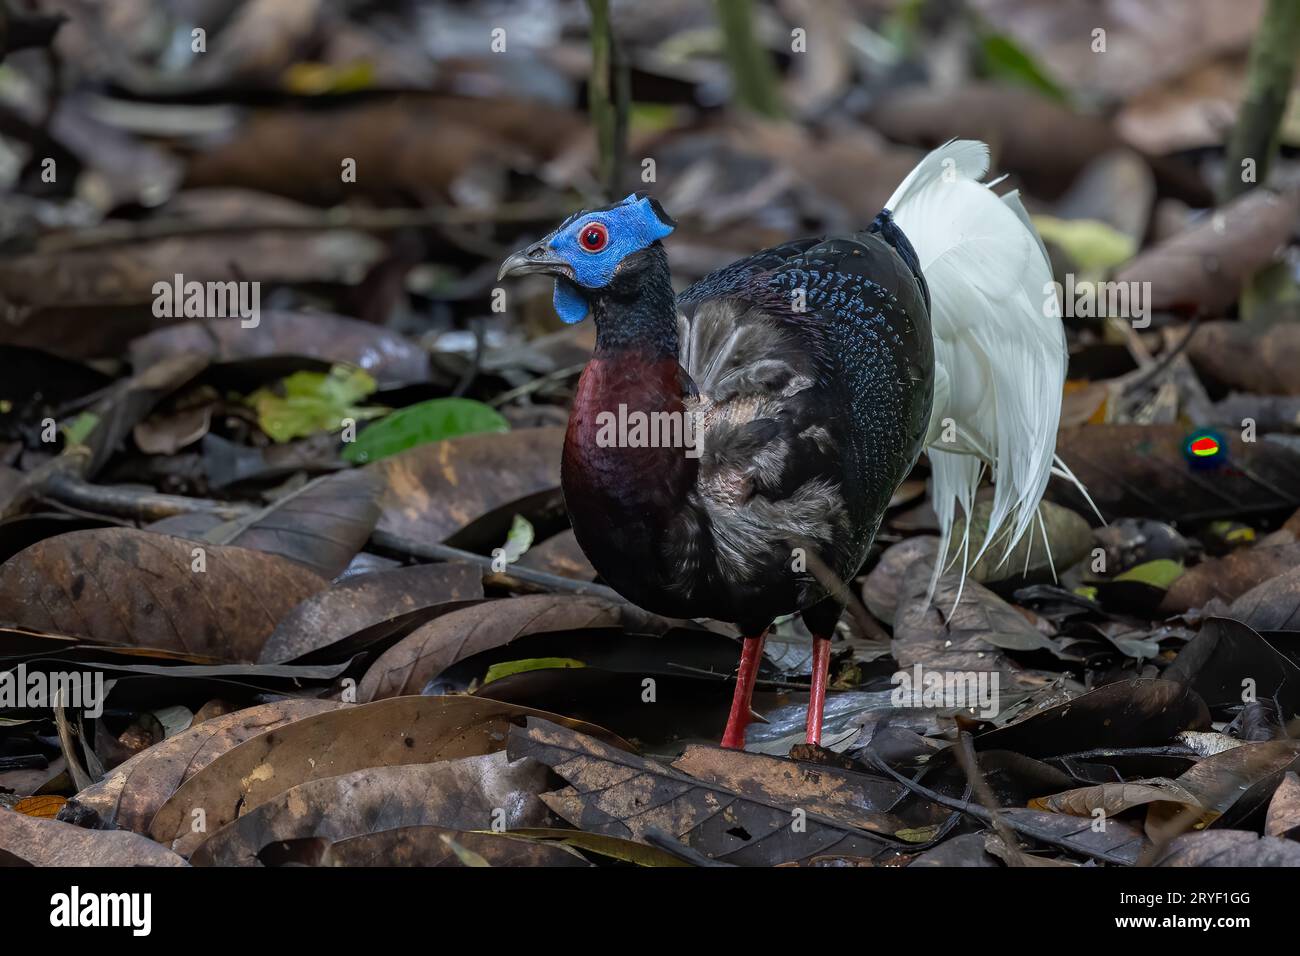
(51, 843)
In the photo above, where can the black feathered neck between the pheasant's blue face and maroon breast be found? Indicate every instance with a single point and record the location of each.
(638, 312)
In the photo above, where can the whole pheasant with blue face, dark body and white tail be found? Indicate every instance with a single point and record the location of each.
(733, 448)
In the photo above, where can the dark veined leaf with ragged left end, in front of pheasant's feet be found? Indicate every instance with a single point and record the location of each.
(619, 794)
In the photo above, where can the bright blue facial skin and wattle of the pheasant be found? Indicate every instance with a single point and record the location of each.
(631, 227)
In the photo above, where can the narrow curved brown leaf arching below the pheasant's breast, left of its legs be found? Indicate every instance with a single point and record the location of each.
(413, 663)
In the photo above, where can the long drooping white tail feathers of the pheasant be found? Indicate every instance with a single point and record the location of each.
(1000, 353)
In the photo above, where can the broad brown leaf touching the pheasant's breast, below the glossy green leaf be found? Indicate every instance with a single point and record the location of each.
(434, 491)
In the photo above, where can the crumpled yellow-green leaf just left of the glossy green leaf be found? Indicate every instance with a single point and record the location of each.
(307, 404)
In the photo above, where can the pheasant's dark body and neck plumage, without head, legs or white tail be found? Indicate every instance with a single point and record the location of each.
(811, 371)
